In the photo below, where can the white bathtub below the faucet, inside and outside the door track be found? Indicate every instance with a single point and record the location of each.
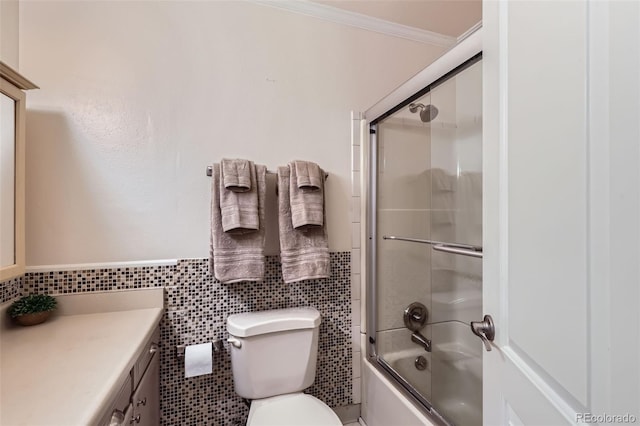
(451, 382)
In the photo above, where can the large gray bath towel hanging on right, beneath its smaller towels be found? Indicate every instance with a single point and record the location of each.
(304, 254)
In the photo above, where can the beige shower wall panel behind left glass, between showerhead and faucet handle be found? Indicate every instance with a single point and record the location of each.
(403, 209)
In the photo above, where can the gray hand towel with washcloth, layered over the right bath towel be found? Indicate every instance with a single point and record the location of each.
(307, 205)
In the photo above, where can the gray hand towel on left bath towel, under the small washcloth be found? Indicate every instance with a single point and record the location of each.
(240, 212)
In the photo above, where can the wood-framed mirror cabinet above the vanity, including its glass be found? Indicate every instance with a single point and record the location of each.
(12, 167)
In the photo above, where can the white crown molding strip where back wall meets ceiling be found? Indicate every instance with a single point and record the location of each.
(345, 17)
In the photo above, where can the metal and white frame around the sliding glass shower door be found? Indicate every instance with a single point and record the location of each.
(464, 54)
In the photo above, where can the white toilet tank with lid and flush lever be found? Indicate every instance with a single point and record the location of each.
(273, 352)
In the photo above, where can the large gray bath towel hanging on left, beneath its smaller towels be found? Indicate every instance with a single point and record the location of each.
(237, 257)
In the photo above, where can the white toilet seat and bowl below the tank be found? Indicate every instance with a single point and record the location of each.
(297, 409)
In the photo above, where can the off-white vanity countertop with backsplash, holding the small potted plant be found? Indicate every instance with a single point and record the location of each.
(64, 372)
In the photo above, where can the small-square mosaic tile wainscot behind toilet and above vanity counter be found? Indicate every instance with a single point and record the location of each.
(197, 307)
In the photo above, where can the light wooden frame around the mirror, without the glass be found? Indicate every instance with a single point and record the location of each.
(12, 84)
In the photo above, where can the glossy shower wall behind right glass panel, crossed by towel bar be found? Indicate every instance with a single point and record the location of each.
(456, 141)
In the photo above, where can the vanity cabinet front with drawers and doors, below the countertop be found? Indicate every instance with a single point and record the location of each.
(138, 400)
